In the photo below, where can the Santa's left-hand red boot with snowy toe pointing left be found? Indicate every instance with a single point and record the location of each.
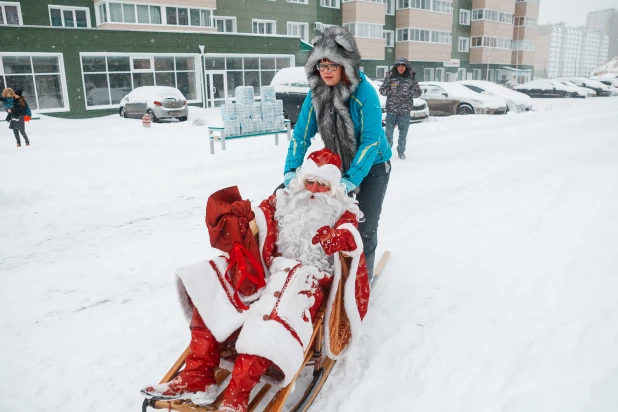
(196, 382)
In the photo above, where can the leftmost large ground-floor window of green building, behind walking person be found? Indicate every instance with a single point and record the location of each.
(41, 76)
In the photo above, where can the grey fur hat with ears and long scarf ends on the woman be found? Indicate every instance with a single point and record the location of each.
(331, 103)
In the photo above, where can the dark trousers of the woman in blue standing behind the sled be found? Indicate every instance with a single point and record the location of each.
(370, 198)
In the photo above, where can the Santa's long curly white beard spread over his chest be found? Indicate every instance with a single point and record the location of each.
(299, 215)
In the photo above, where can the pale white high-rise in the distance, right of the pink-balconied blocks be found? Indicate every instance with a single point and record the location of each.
(569, 51)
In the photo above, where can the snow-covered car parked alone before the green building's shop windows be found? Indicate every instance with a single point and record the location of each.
(160, 102)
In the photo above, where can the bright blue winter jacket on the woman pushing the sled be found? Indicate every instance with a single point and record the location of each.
(366, 114)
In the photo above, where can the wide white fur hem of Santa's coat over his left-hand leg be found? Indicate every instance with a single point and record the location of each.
(201, 283)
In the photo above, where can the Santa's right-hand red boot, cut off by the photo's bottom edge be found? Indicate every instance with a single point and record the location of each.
(246, 374)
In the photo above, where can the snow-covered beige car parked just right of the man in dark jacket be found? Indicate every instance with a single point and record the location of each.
(445, 99)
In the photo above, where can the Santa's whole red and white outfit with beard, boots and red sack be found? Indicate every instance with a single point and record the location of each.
(255, 305)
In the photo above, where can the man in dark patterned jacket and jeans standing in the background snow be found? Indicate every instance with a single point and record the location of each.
(400, 88)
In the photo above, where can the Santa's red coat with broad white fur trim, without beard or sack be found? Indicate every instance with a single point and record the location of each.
(277, 320)
